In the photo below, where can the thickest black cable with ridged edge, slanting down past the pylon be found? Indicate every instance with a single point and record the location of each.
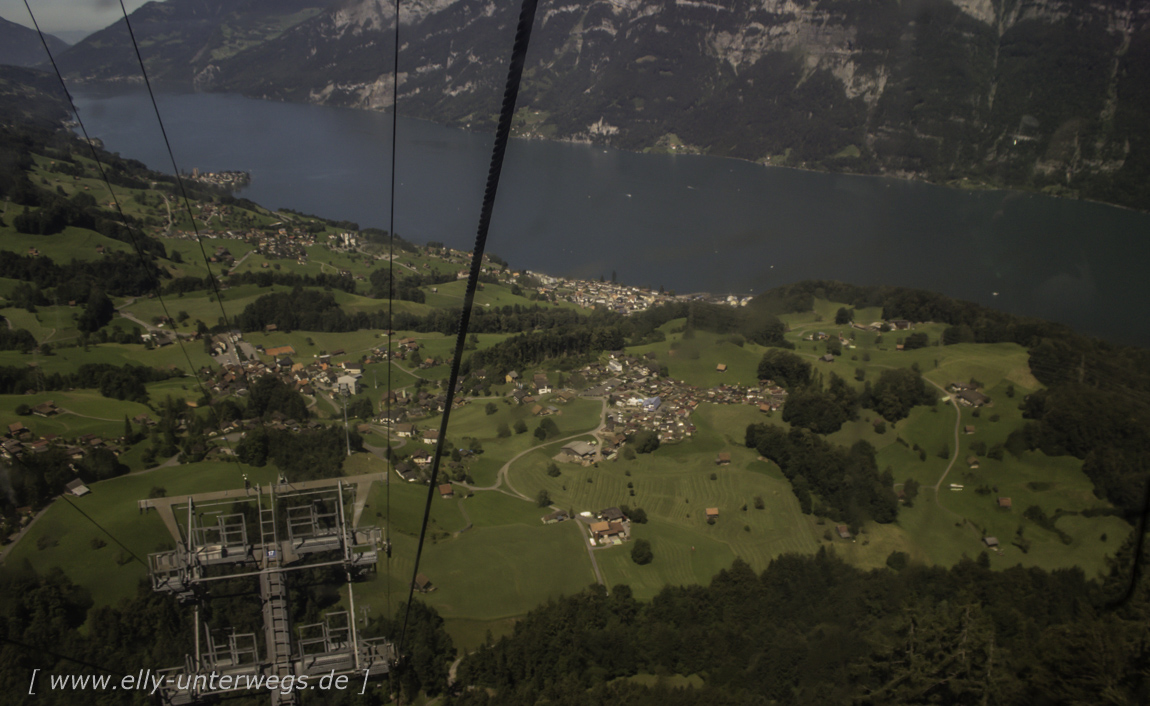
(503, 134)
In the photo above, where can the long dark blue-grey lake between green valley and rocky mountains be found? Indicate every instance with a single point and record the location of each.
(688, 224)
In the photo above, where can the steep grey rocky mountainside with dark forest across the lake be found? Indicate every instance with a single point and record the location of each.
(1039, 94)
